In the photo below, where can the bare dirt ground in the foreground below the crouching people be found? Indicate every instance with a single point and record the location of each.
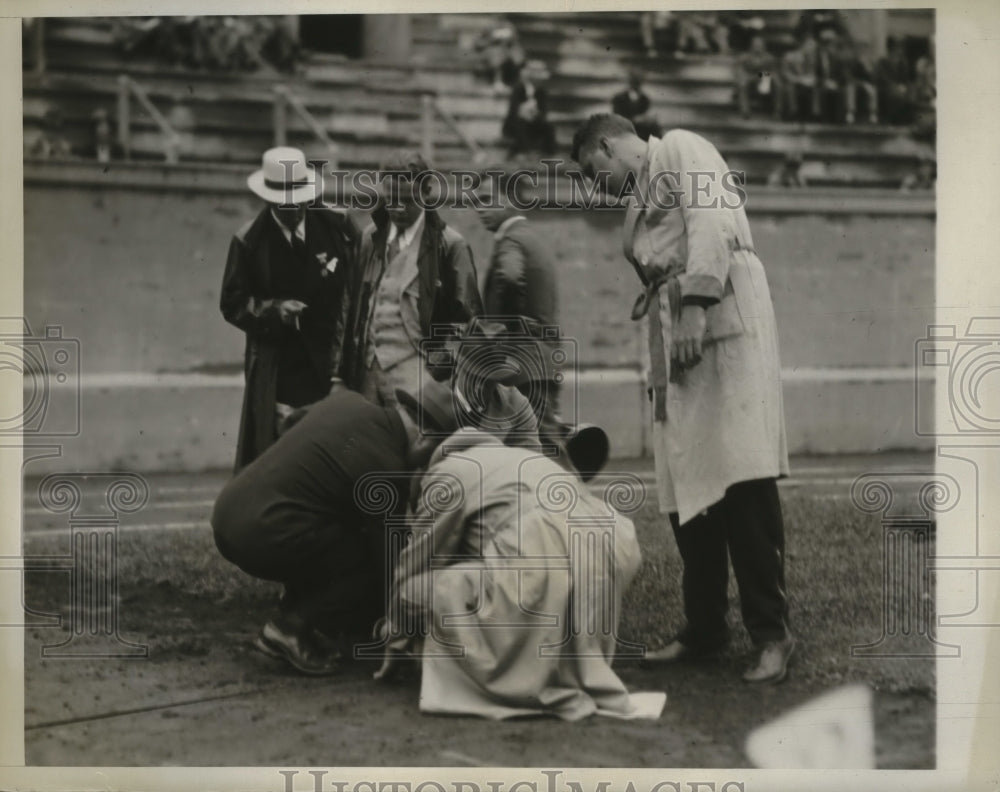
(204, 697)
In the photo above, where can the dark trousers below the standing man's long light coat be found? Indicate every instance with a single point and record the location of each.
(747, 522)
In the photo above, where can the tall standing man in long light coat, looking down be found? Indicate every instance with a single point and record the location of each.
(719, 437)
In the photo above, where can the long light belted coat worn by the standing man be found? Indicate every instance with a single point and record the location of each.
(723, 420)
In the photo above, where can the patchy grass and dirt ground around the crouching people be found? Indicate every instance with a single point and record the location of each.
(197, 613)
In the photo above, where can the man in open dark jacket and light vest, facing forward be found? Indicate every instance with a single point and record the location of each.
(415, 283)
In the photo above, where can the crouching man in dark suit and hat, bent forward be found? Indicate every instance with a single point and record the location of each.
(291, 516)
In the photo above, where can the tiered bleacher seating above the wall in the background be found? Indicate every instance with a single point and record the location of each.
(349, 88)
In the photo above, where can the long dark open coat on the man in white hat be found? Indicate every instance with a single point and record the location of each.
(248, 302)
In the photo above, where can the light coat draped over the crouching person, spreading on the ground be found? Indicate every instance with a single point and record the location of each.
(516, 572)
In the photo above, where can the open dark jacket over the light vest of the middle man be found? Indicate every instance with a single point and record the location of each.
(444, 293)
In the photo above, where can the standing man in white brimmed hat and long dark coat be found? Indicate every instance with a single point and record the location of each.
(285, 287)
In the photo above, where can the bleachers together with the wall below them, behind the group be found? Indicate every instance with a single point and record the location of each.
(144, 130)
